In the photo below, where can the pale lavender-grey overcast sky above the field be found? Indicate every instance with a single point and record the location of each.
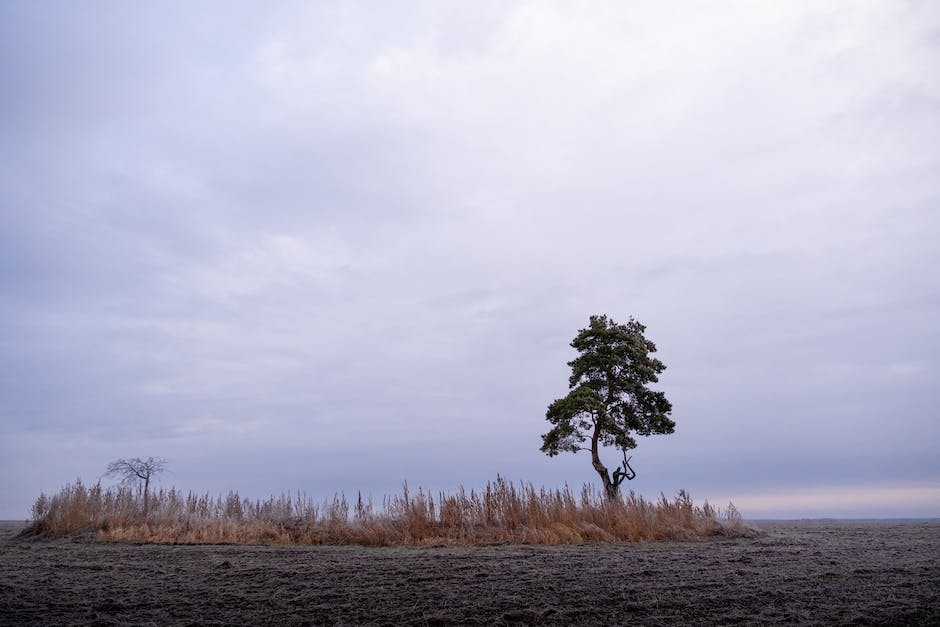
(329, 247)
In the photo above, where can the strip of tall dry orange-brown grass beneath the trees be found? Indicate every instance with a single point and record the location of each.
(500, 513)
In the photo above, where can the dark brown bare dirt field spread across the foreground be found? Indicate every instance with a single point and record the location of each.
(824, 573)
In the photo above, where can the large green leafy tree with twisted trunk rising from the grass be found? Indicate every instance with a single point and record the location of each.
(609, 401)
